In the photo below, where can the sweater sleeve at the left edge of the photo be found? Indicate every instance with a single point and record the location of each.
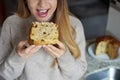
(11, 65)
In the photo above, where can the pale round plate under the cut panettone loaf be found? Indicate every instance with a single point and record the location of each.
(102, 57)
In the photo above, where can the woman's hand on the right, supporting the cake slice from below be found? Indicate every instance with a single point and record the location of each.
(56, 52)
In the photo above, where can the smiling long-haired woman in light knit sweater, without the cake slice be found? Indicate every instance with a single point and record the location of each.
(34, 62)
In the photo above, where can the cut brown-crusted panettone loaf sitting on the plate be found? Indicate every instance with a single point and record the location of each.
(107, 44)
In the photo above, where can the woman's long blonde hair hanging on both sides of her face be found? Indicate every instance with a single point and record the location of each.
(61, 18)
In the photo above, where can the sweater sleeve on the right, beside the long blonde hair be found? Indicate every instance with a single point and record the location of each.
(74, 69)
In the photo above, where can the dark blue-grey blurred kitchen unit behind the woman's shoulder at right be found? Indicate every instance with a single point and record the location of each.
(93, 14)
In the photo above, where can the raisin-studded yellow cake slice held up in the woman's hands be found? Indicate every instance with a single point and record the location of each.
(43, 33)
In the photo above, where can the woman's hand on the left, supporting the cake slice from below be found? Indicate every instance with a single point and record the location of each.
(26, 52)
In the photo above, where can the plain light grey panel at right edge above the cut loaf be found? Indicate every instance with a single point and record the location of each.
(113, 26)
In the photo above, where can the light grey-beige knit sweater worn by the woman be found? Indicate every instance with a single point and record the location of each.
(38, 66)
